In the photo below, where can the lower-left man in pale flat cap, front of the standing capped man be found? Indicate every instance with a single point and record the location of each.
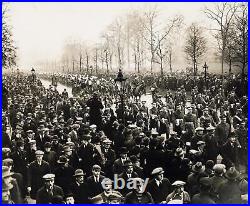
(46, 193)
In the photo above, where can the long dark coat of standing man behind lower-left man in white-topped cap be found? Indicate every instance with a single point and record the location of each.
(35, 174)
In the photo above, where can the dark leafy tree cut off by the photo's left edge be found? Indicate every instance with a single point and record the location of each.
(9, 56)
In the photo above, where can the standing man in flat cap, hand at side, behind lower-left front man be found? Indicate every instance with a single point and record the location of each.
(37, 169)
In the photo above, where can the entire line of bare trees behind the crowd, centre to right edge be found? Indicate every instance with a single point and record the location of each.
(139, 40)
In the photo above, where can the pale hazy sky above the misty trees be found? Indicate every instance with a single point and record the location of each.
(40, 29)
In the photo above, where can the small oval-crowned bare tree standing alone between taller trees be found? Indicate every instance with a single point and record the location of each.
(195, 46)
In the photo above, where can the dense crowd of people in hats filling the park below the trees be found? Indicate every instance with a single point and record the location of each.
(188, 146)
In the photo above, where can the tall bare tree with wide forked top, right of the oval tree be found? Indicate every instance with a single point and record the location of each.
(222, 15)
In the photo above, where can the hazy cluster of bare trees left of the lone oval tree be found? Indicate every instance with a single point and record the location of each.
(135, 40)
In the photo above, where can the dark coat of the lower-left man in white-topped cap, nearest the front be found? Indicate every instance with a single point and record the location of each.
(43, 197)
